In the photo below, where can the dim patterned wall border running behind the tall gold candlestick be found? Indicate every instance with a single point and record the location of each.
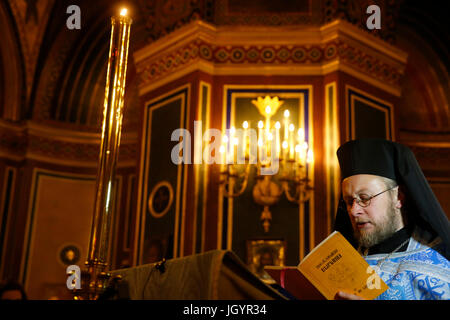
(31, 141)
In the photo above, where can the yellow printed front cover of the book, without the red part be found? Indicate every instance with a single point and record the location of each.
(334, 265)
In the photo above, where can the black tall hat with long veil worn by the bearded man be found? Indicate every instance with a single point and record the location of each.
(397, 162)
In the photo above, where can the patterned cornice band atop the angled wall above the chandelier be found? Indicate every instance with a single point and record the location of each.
(314, 51)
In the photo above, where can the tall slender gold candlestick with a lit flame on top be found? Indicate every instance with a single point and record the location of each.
(109, 150)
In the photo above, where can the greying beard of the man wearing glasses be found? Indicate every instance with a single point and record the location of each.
(382, 229)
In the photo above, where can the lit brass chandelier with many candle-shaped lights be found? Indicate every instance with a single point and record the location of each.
(280, 154)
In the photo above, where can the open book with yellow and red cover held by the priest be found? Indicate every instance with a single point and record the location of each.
(334, 265)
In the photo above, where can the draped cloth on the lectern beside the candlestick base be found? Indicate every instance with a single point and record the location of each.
(216, 274)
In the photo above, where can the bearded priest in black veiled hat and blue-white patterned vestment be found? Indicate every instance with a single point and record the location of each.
(391, 216)
